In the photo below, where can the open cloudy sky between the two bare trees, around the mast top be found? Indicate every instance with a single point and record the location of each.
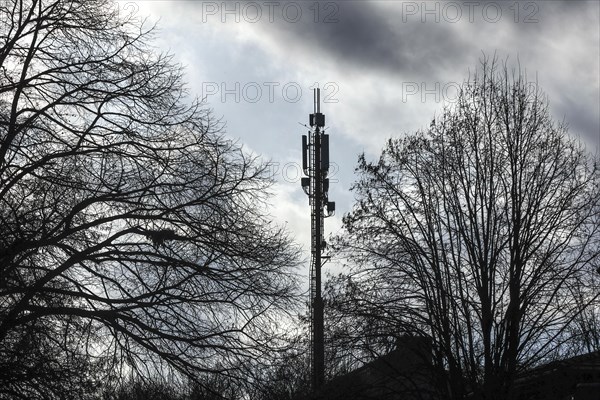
(385, 68)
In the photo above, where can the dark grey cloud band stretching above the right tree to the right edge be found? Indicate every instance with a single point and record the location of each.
(378, 41)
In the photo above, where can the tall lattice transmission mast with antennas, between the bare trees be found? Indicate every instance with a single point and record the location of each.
(315, 165)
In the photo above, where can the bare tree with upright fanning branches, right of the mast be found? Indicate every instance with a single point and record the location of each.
(481, 233)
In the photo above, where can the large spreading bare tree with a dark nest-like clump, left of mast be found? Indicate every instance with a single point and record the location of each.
(133, 234)
